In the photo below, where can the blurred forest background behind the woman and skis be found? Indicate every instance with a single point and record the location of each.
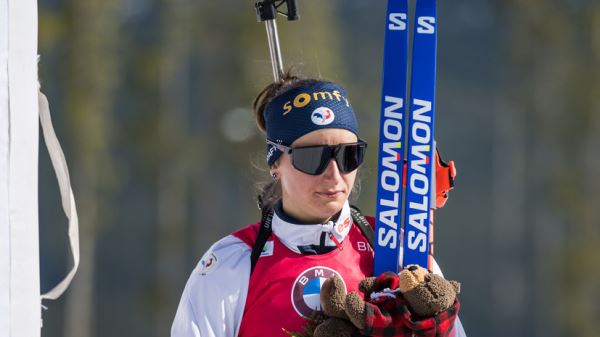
(151, 101)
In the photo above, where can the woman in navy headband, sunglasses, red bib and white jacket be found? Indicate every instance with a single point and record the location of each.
(313, 152)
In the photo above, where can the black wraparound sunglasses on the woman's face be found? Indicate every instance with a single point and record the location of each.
(313, 160)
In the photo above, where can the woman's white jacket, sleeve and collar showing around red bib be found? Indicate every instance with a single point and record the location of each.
(214, 298)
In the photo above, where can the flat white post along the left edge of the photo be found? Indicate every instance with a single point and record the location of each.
(19, 243)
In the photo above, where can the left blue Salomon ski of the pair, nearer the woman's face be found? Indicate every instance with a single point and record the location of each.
(391, 137)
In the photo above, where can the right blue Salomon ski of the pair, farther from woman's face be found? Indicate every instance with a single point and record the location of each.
(420, 137)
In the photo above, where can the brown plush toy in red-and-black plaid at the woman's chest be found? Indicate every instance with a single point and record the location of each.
(412, 303)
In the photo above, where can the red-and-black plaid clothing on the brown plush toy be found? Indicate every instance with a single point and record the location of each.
(388, 314)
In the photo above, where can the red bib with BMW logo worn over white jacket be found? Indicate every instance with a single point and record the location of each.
(285, 286)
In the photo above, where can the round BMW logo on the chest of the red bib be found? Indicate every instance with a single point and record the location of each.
(306, 292)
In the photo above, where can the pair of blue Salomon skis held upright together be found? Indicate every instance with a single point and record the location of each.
(419, 145)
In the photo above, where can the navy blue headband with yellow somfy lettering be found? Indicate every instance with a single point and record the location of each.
(298, 111)
